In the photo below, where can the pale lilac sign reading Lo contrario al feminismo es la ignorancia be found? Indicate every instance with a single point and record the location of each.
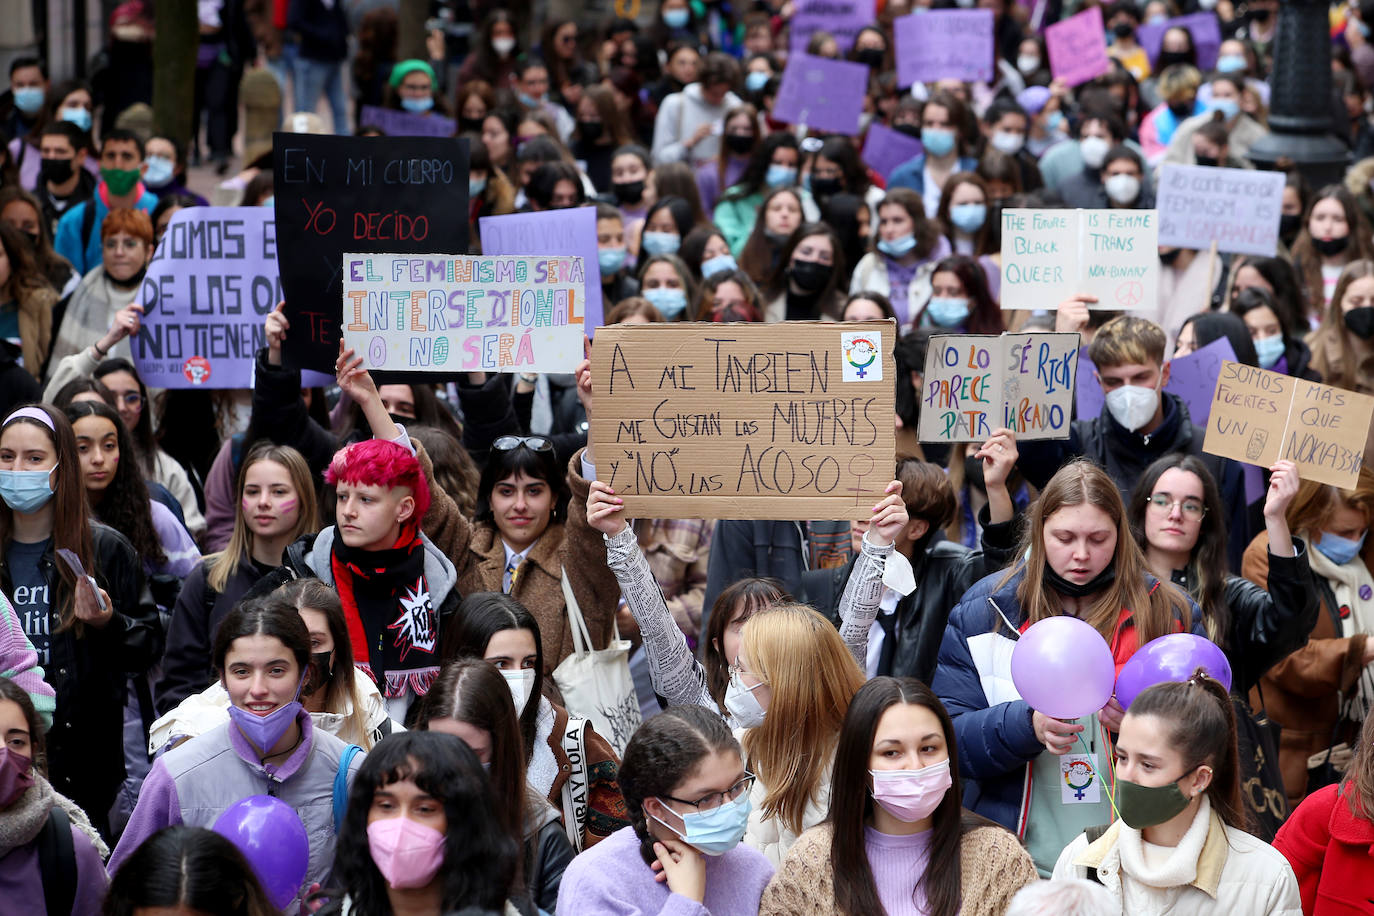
(1239, 209)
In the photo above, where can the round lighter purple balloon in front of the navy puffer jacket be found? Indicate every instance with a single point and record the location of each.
(1063, 668)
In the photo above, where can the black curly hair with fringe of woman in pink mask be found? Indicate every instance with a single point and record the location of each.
(480, 856)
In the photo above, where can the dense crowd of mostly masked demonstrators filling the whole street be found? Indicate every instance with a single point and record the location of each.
(357, 599)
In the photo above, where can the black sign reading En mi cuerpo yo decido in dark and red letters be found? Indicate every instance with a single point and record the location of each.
(357, 194)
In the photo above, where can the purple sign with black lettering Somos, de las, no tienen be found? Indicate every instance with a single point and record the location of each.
(205, 297)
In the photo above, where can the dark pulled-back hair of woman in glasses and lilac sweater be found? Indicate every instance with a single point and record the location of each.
(662, 755)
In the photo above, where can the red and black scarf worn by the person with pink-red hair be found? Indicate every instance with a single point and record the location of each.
(392, 621)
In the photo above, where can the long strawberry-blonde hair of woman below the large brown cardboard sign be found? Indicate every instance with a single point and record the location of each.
(813, 678)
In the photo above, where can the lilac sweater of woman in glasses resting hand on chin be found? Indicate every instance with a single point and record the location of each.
(611, 880)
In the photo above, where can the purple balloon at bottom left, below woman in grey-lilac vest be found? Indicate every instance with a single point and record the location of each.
(273, 838)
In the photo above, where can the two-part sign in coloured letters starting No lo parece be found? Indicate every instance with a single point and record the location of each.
(976, 384)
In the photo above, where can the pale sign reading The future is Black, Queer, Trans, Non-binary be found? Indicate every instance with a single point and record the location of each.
(1049, 256)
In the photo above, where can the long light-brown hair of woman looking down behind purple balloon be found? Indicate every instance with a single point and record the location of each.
(1153, 610)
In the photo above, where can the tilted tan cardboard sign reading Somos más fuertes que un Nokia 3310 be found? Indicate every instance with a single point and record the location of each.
(1261, 417)
